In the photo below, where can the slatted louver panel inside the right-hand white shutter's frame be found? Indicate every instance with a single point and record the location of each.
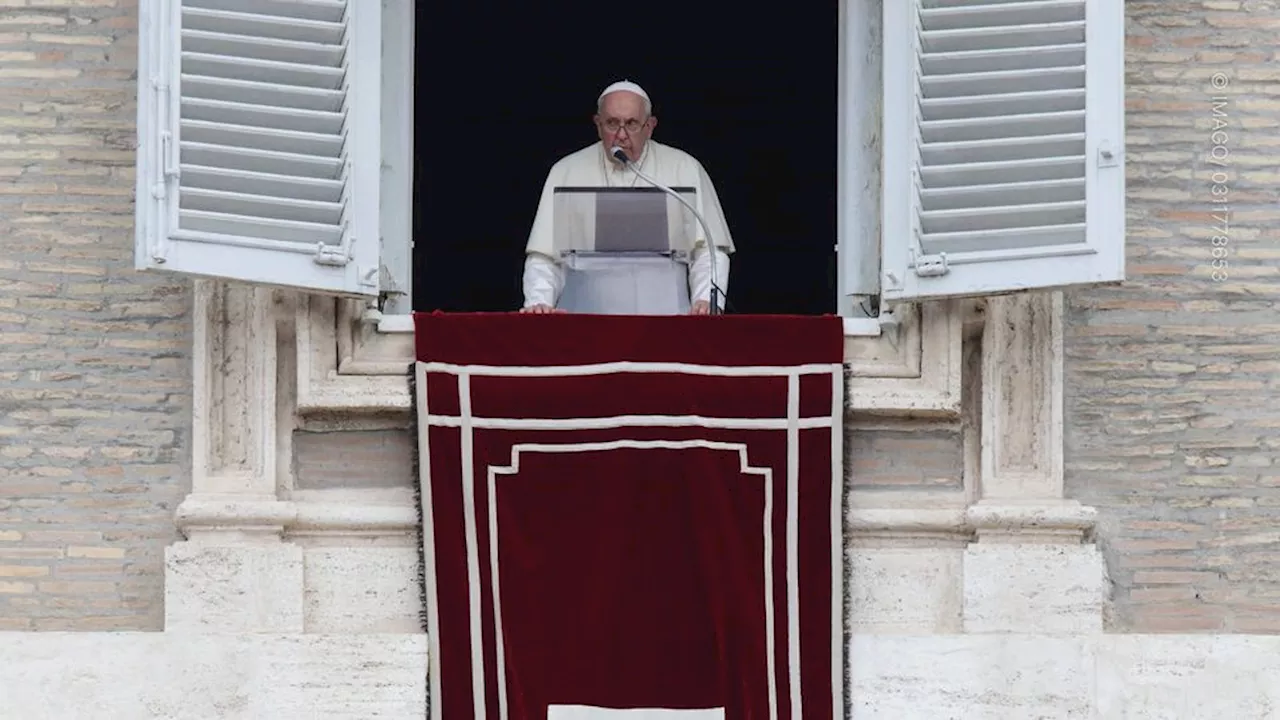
(1002, 125)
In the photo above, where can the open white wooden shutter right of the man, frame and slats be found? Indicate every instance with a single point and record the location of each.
(1004, 145)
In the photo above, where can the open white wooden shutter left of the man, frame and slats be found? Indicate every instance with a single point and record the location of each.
(259, 142)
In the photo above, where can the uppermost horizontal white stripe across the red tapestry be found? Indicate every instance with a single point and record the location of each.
(632, 367)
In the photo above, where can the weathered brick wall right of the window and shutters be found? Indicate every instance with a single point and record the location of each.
(1173, 381)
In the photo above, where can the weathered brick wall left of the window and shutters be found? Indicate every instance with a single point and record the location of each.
(95, 386)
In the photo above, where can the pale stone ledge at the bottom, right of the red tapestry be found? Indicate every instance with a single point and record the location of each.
(1136, 677)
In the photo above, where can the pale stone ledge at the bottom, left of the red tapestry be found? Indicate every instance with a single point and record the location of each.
(228, 677)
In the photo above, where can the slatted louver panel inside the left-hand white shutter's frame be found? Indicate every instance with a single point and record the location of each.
(262, 121)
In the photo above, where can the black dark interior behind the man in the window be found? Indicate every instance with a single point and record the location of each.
(506, 89)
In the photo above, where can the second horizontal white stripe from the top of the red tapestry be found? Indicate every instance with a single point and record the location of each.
(614, 422)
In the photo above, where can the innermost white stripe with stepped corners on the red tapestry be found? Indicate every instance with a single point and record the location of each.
(746, 468)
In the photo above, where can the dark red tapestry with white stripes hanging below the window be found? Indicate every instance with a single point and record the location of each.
(632, 513)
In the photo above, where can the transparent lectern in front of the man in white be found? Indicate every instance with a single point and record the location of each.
(625, 250)
